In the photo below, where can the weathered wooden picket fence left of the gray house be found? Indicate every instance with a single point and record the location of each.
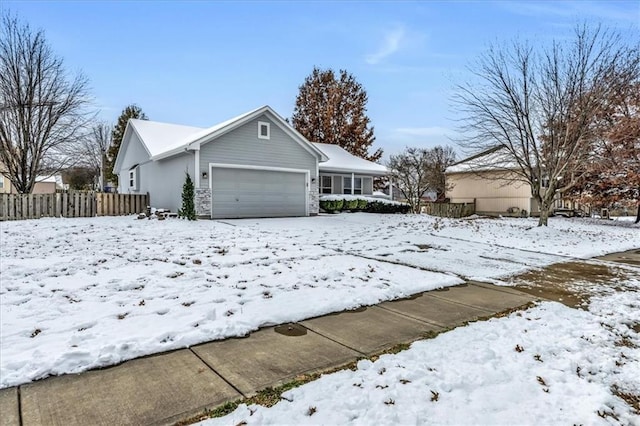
(70, 204)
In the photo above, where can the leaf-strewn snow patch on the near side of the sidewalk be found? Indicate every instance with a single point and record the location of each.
(548, 365)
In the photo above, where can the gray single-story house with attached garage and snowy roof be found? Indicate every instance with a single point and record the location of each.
(253, 165)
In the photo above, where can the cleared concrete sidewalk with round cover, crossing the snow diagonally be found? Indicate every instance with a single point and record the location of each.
(165, 388)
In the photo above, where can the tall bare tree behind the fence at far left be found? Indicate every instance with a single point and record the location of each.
(42, 111)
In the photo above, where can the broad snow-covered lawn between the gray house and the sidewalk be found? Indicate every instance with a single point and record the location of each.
(81, 293)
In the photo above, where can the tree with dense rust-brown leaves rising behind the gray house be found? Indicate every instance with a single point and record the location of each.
(333, 110)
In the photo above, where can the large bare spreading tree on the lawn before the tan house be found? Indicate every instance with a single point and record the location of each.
(539, 104)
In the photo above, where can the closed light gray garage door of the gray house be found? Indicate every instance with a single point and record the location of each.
(257, 193)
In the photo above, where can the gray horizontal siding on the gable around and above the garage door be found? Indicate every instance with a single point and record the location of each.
(242, 146)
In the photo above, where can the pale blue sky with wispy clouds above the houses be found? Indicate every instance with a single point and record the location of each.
(198, 63)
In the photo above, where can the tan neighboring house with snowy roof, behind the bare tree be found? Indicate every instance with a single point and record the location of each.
(488, 180)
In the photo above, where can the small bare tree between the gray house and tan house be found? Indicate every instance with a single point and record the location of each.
(410, 174)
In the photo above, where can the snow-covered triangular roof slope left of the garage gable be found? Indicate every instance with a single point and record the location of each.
(160, 137)
